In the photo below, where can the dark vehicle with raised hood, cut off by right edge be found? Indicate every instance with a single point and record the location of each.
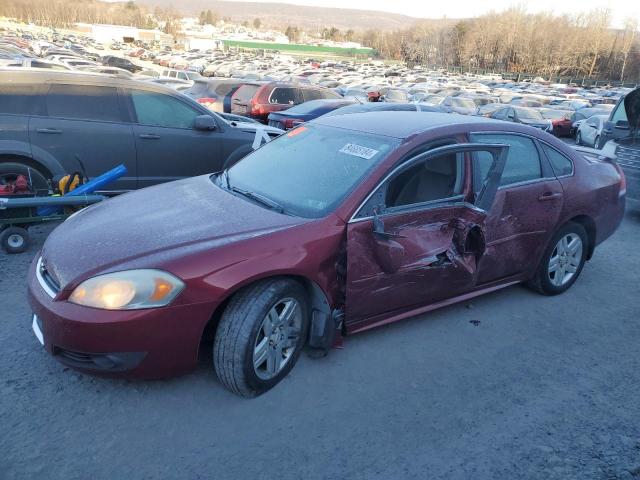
(621, 137)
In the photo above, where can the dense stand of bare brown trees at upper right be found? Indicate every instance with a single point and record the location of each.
(581, 45)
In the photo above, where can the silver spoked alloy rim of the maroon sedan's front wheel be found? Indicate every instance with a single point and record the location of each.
(277, 338)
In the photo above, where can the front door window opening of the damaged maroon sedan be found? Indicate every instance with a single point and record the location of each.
(434, 179)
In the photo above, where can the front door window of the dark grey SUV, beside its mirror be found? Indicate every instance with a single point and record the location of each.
(161, 110)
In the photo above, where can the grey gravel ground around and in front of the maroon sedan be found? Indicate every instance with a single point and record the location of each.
(512, 385)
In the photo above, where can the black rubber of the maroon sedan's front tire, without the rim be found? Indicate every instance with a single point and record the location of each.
(238, 331)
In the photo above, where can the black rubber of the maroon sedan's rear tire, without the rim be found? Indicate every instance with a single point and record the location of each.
(541, 282)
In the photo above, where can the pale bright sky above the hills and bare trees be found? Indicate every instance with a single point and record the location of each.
(471, 8)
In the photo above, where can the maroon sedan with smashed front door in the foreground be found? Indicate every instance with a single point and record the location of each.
(341, 225)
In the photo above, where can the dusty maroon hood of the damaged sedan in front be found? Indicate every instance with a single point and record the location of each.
(168, 220)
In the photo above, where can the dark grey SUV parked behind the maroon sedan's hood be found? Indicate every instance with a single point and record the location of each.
(50, 119)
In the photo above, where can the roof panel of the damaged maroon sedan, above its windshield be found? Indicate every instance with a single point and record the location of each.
(400, 124)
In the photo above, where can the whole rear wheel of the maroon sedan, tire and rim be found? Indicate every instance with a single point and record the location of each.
(563, 260)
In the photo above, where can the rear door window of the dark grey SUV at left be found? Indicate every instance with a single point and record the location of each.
(87, 102)
